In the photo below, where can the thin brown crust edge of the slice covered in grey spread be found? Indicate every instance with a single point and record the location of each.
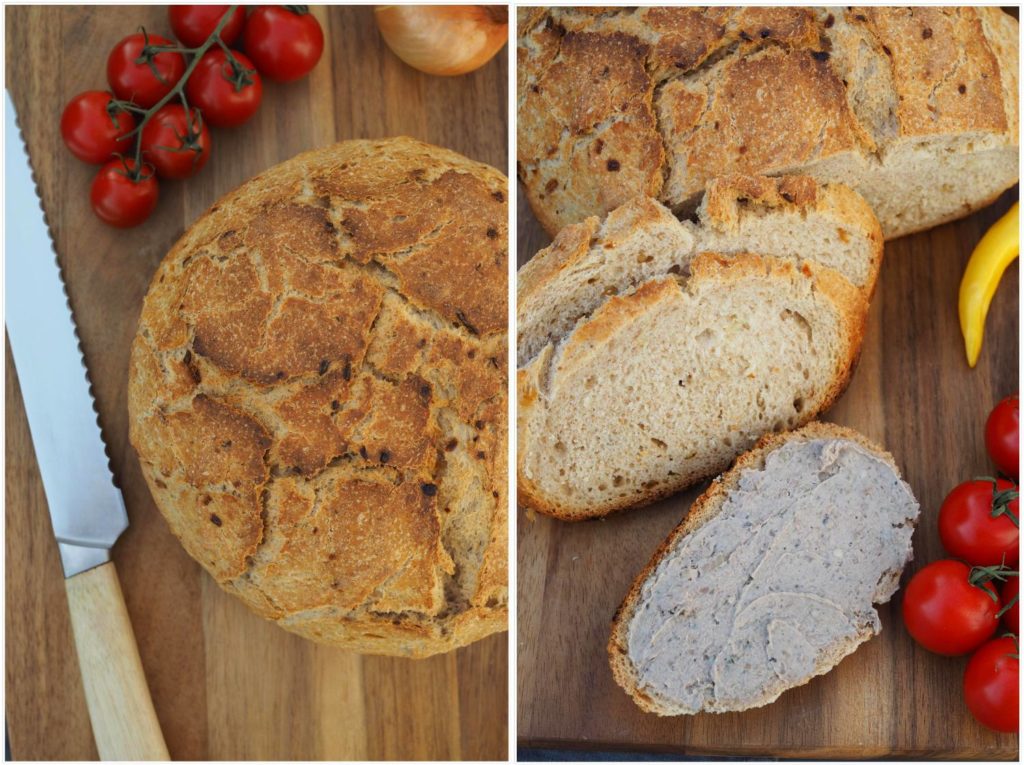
(704, 509)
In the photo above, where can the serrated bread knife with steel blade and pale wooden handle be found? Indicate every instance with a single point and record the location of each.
(87, 509)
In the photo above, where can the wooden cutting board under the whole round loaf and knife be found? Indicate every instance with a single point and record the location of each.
(226, 684)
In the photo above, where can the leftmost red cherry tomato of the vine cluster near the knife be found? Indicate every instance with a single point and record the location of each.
(95, 132)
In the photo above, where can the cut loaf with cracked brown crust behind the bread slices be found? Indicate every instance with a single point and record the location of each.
(626, 102)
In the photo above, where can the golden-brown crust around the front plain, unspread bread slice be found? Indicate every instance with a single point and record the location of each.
(850, 304)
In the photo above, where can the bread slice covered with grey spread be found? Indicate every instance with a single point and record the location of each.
(772, 578)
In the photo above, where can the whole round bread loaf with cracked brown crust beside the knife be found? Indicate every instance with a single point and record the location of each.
(318, 396)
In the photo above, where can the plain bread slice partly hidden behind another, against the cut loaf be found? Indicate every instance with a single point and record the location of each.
(793, 218)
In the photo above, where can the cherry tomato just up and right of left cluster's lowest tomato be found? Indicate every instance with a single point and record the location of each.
(176, 146)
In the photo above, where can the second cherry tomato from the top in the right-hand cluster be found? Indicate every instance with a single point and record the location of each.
(970, 532)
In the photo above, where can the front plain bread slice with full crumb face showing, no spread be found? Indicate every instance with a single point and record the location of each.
(665, 387)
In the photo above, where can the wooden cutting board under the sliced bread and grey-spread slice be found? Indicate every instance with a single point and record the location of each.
(914, 393)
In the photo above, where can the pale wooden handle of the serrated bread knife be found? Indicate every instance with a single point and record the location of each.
(124, 722)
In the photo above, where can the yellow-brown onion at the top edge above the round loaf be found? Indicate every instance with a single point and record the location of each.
(445, 40)
